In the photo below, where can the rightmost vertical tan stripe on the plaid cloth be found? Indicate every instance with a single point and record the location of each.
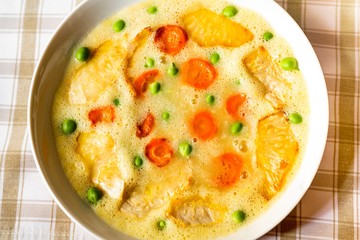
(346, 114)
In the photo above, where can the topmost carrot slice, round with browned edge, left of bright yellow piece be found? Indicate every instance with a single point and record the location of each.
(171, 39)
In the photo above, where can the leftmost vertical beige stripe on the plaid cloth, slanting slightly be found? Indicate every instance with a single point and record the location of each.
(12, 160)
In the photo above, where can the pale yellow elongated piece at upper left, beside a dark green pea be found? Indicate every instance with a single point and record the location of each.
(92, 78)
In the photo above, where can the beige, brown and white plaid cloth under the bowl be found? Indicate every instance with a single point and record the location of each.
(329, 210)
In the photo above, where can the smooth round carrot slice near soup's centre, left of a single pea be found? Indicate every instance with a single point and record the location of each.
(204, 126)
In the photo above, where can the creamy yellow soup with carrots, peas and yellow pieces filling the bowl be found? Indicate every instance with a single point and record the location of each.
(185, 119)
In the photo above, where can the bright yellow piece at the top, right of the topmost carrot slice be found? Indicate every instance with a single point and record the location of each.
(209, 29)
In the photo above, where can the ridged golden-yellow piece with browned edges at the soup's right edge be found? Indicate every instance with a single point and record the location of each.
(276, 151)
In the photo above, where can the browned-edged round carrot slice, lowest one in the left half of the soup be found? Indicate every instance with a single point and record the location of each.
(159, 151)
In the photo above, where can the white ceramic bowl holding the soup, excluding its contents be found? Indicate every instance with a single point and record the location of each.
(49, 73)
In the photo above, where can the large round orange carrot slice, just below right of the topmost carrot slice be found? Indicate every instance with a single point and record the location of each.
(198, 73)
